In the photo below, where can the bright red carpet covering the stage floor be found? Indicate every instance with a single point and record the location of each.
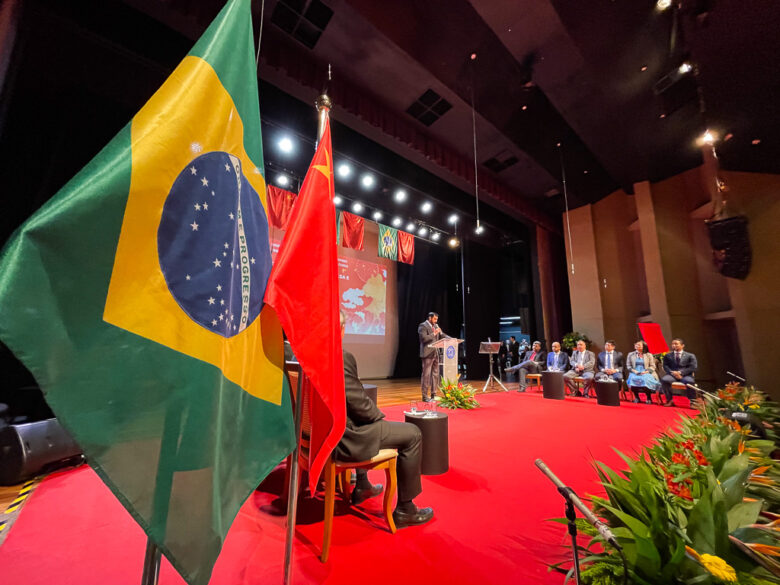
(489, 525)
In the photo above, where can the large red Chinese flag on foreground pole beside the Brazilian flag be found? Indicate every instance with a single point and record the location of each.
(303, 289)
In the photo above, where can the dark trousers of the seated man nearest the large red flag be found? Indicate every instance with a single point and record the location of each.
(407, 438)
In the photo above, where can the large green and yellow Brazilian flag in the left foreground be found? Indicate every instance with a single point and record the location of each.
(135, 297)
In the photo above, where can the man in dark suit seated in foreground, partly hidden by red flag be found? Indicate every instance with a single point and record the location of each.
(366, 433)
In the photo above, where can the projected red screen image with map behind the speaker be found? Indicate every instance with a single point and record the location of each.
(362, 290)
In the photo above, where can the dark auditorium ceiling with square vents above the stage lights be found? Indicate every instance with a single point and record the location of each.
(583, 75)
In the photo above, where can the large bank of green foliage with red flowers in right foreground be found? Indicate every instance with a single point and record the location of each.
(701, 505)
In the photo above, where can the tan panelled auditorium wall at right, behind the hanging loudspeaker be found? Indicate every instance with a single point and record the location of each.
(646, 257)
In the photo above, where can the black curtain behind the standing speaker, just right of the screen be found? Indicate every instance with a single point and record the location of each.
(430, 284)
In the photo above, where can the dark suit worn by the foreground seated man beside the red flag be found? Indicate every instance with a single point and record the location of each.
(366, 433)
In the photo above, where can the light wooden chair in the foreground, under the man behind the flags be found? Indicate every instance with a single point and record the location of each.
(339, 472)
